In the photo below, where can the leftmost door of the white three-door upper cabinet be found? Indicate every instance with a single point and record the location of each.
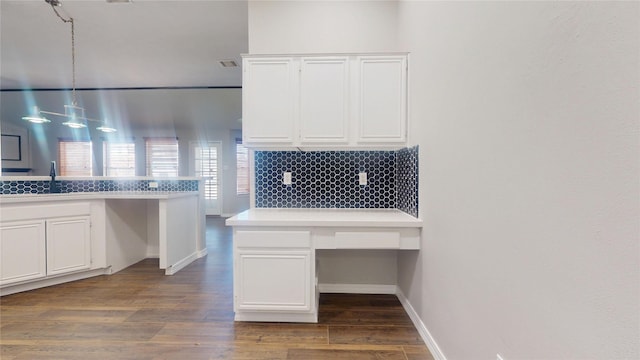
(268, 101)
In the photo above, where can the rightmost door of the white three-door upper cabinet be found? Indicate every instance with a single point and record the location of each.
(382, 99)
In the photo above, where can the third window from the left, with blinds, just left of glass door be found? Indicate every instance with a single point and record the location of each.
(162, 156)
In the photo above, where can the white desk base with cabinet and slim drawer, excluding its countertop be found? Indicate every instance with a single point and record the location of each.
(275, 274)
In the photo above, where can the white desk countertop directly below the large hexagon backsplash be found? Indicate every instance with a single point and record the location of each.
(324, 217)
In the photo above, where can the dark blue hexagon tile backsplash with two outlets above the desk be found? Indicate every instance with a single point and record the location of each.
(329, 179)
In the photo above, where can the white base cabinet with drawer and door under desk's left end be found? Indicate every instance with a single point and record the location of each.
(273, 276)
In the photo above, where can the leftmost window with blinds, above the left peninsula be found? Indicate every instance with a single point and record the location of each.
(76, 158)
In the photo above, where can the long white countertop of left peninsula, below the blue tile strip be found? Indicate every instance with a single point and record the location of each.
(24, 198)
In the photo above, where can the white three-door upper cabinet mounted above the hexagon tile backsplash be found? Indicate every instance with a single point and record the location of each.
(325, 101)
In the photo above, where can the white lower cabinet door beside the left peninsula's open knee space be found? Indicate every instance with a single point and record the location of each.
(68, 245)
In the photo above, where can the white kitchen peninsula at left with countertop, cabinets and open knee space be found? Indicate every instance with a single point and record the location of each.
(47, 239)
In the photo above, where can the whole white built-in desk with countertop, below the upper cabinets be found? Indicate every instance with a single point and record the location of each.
(274, 254)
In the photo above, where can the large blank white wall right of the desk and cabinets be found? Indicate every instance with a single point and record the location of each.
(527, 118)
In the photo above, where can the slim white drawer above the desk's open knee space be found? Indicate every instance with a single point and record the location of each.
(367, 240)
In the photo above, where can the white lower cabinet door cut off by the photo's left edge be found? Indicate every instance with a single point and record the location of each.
(22, 251)
